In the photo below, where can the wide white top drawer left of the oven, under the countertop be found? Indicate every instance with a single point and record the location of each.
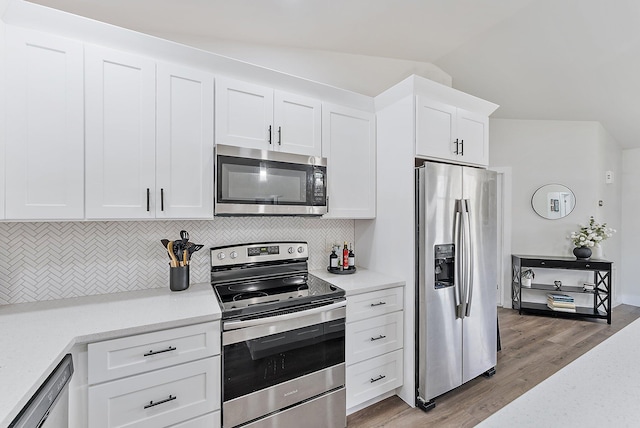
(126, 356)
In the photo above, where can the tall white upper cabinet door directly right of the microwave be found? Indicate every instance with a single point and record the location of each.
(349, 144)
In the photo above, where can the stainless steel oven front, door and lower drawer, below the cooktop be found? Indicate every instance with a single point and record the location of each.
(273, 364)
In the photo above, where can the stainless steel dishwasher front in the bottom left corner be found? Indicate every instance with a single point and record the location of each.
(49, 406)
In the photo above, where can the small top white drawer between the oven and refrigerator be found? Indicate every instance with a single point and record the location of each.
(375, 303)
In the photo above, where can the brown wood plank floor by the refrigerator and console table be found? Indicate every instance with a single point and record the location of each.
(533, 348)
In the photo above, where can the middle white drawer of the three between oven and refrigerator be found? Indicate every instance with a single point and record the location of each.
(374, 336)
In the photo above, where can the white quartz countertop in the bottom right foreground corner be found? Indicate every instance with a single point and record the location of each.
(599, 389)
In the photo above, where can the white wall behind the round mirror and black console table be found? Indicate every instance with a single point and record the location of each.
(575, 154)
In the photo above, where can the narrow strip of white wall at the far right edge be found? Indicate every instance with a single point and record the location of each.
(630, 288)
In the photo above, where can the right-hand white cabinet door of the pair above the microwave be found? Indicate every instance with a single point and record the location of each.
(297, 124)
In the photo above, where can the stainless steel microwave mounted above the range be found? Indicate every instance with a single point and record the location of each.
(263, 182)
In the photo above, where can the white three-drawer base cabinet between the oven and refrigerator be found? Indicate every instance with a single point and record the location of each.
(374, 344)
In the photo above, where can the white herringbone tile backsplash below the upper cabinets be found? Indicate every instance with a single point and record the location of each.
(47, 261)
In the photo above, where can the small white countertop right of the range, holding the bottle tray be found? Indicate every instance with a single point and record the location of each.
(362, 281)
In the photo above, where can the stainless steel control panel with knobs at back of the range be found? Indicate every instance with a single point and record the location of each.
(259, 252)
